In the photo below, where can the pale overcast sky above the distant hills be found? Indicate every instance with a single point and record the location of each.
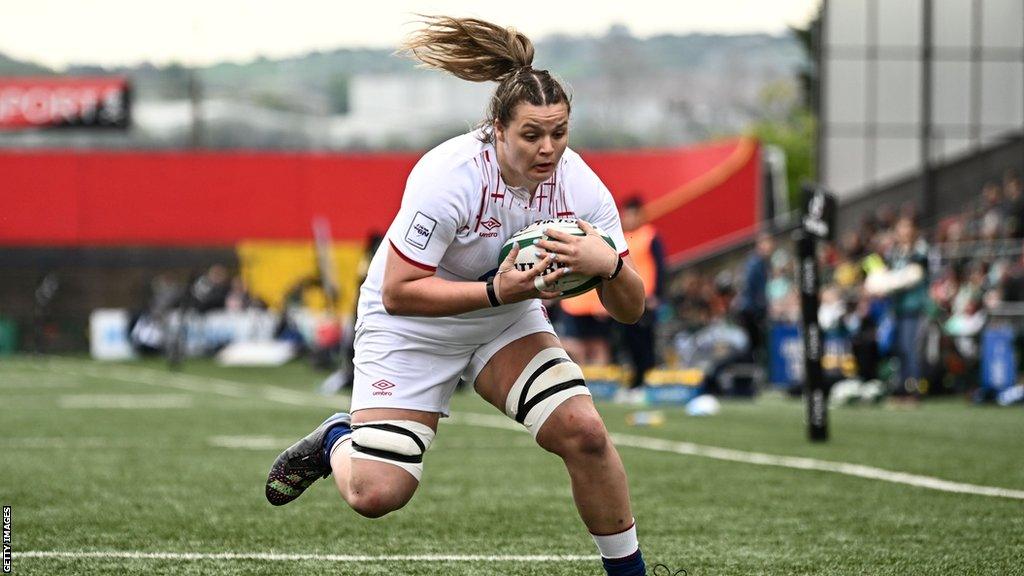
(200, 32)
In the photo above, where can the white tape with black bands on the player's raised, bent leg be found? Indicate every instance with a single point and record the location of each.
(401, 443)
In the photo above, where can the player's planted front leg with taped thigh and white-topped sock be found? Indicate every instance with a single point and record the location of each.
(532, 380)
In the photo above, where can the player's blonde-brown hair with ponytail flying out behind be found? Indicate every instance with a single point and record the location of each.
(480, 52)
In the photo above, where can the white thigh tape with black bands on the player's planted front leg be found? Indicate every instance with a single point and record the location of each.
(548, 381)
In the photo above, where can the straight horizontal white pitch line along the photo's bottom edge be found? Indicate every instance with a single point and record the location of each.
(271, 557)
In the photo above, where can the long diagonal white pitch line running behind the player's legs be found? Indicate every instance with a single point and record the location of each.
(237, 390)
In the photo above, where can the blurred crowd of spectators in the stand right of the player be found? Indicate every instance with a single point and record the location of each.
(909, 304)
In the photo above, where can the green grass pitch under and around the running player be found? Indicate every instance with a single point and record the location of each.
(132, 459)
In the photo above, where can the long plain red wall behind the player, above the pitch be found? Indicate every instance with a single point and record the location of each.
(699, 197)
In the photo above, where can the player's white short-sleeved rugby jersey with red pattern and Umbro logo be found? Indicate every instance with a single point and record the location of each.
(456, 215)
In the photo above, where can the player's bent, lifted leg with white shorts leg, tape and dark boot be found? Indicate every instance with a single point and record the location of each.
(376, 456)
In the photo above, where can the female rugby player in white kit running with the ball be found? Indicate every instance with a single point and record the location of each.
(435, 309)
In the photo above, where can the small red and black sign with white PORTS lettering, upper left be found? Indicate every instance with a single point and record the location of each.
(61, 102)
